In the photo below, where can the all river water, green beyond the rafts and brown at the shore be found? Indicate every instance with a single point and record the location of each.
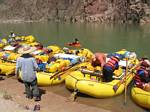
(97, 38)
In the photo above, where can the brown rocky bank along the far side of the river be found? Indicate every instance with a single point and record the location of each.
(97, 11)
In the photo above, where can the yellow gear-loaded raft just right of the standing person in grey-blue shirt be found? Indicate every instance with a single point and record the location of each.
(56, 71)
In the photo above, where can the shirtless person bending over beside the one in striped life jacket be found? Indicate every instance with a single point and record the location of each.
(99, 59)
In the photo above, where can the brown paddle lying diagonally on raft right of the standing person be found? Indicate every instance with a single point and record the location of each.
(61, 72)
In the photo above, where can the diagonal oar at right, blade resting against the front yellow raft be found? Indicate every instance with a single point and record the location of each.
(116, 86)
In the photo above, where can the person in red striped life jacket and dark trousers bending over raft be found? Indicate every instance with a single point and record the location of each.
(108, 69)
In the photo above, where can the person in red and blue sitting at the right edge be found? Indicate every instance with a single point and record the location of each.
(142, 77)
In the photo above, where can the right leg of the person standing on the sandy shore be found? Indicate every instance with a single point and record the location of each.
(35, 89)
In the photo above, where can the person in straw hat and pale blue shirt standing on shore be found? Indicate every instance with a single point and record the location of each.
(28, 66)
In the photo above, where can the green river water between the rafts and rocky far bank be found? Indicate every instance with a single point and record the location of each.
(96, 37)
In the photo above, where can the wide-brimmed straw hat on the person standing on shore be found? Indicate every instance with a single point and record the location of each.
(26, 49)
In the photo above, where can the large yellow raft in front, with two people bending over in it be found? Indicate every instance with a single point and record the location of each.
(88, 80)
